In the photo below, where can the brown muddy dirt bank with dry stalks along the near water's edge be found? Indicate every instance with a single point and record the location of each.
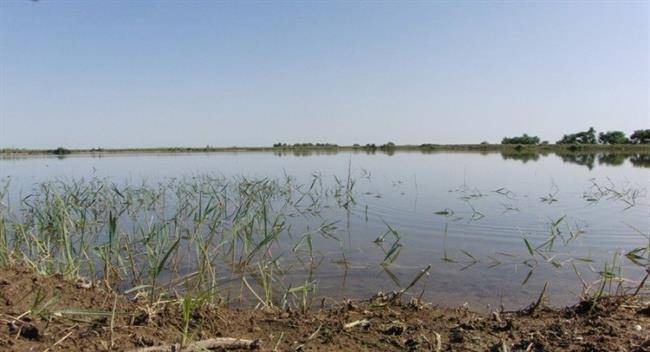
(41, 313)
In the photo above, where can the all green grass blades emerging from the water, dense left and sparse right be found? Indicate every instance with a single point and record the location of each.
(216, 240)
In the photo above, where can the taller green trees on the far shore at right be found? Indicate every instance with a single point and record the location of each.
(587, 137)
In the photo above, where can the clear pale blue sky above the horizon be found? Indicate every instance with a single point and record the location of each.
(195, 73)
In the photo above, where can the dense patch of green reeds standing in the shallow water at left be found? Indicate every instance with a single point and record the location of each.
(201, 234)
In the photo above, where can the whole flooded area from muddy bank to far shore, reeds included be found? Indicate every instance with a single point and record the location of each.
(299, 229)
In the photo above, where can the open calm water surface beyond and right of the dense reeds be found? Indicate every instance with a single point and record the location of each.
(492, 202)
